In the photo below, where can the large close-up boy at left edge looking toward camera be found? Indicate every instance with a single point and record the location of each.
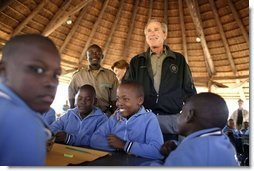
(29, 69)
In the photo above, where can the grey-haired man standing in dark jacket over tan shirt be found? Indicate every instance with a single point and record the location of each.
(165, 75)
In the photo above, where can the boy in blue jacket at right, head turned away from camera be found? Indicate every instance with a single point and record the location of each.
(202, 119)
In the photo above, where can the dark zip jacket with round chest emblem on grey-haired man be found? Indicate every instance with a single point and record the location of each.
(176, 81)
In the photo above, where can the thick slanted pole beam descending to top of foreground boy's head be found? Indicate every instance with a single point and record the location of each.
(63, 18)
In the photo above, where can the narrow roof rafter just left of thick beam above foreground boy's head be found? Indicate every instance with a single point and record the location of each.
(56, 16)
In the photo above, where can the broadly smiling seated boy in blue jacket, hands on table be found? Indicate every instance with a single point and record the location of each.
(132, 128)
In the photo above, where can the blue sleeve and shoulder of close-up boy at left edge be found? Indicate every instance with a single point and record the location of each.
(22, 140)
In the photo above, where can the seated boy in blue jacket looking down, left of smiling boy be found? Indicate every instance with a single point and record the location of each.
(77, 125)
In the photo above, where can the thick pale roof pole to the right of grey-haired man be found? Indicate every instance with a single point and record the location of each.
(193, 8)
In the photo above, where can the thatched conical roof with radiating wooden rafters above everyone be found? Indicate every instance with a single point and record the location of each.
(213, 35)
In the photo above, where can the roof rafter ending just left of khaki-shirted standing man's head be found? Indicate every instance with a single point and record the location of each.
(93, 31)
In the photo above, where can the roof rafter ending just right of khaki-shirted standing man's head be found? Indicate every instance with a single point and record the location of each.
(112, 31)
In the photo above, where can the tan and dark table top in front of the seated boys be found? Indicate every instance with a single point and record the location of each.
(63, 155)
